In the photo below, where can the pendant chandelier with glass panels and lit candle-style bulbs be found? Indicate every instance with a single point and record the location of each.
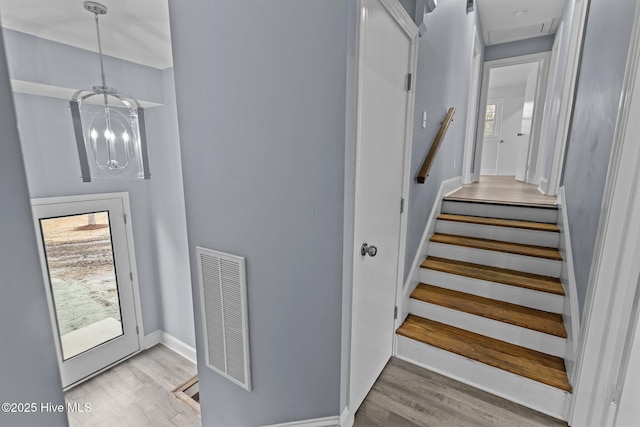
(109, 127)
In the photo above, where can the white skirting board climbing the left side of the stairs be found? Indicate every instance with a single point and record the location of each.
(447, 187)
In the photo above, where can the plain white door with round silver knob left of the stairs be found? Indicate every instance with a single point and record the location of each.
(385, 60)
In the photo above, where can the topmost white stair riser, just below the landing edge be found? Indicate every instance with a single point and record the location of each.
(525, 213)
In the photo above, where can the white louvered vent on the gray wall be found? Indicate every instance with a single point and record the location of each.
(223, 300)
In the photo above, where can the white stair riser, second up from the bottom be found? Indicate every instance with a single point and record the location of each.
(534, 340)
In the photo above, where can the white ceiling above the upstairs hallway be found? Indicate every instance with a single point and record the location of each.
(510, 20)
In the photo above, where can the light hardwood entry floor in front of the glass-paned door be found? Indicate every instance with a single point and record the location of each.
(136, 393)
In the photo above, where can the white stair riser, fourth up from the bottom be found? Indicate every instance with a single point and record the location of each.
(528, 264)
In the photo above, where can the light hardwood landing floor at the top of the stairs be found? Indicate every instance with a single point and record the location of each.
(502, 189)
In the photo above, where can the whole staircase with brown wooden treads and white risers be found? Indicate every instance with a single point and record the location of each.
(487, 310)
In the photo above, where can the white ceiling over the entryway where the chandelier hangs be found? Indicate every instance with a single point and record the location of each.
(134, 30)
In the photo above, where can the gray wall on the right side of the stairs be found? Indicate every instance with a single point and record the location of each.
(595, 113)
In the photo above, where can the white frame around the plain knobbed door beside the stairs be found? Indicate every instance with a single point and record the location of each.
(404, 21)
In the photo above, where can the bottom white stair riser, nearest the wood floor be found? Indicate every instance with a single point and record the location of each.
(532, 394)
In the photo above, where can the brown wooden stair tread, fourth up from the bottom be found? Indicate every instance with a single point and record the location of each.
(497, 245)
